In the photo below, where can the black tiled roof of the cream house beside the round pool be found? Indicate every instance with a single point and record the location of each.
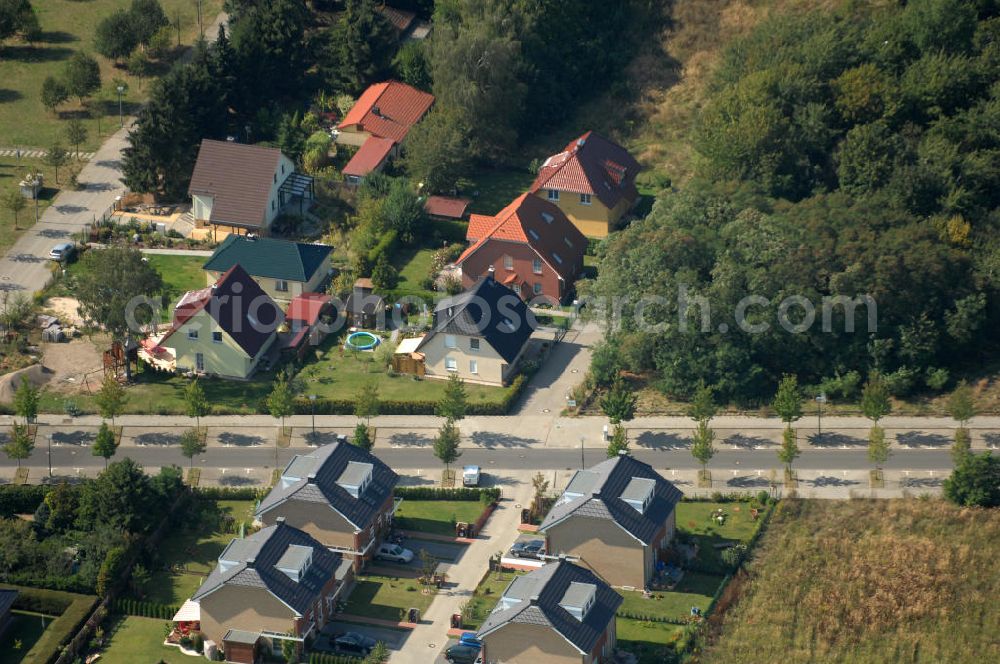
(488, 310)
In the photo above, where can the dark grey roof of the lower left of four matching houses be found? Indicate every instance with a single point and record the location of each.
(252, 563)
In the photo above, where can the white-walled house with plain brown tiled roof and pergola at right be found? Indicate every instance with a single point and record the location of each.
(242, 188)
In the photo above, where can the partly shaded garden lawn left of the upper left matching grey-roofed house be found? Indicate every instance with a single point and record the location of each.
(197, 550)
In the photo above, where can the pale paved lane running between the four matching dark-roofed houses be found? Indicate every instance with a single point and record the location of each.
(430, 637)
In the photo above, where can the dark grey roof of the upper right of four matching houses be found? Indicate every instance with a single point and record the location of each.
(603, 497)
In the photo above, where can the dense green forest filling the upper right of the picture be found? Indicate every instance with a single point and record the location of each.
(838, 154)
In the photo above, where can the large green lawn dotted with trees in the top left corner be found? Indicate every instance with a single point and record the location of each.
(68, 27)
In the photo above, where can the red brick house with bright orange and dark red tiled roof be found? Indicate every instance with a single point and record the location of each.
(530, 245)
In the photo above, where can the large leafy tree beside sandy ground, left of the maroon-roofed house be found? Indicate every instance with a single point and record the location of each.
(112, 279)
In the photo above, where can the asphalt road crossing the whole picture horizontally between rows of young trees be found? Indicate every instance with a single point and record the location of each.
(74, 456)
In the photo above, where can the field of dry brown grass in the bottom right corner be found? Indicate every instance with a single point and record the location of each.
(903, 581)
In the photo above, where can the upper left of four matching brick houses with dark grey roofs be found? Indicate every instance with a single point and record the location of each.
(340, 494)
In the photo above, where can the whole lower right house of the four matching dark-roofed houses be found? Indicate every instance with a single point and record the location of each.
(560, 613)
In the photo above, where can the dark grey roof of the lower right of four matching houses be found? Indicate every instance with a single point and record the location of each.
(543, 590)
